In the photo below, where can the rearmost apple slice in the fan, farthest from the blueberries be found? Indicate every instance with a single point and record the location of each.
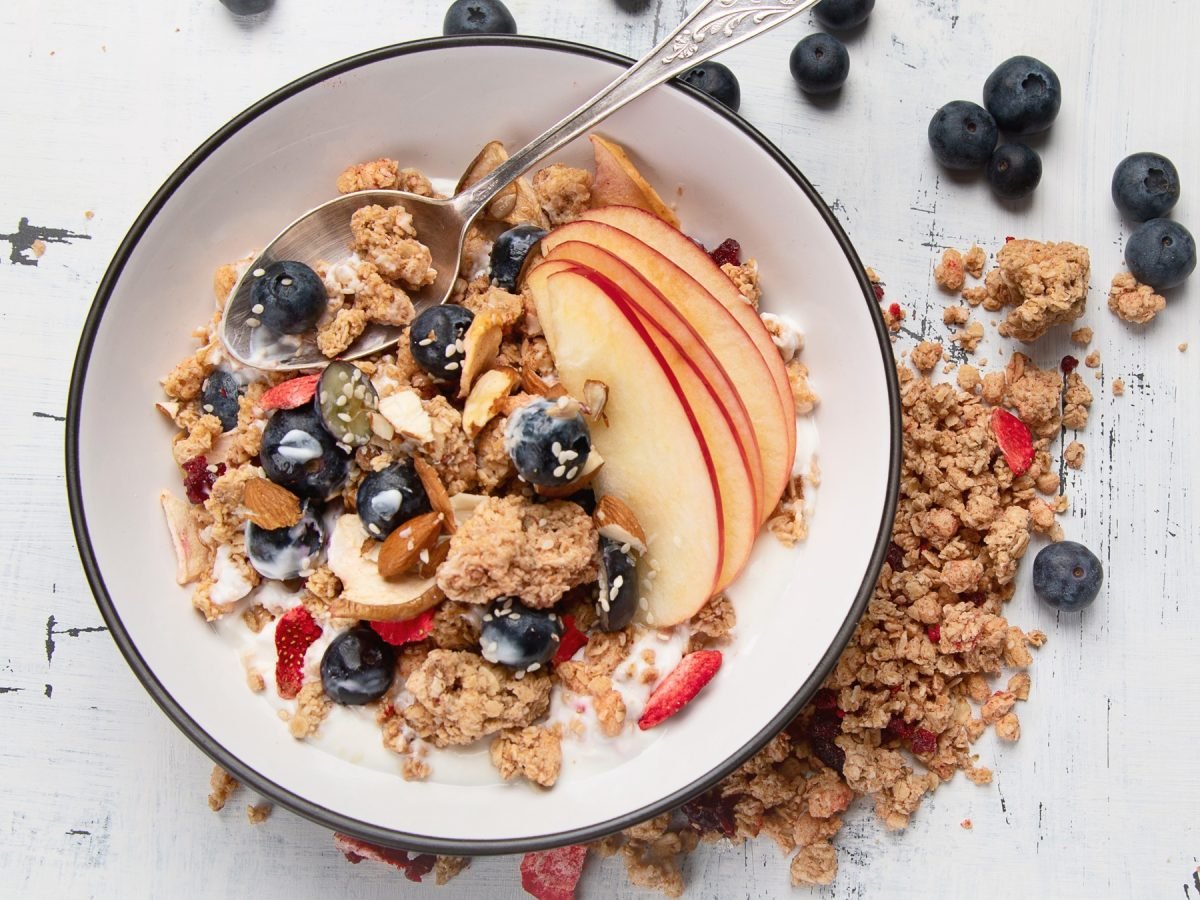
(686, 254)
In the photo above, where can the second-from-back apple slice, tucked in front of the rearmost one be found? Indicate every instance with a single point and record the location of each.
(719, 329)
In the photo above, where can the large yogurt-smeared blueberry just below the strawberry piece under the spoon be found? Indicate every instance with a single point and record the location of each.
(302, 457)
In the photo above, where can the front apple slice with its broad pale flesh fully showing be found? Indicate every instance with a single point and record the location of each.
(656, 458)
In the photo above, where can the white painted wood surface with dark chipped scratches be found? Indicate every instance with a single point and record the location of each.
(103, 797)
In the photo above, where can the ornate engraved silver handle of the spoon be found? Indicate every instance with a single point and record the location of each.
(716, 26)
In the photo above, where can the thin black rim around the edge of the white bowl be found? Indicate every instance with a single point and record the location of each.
(284, 796)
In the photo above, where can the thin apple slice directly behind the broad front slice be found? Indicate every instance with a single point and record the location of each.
(731, 460)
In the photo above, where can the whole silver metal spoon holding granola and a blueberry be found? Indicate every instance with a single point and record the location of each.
(325, 233)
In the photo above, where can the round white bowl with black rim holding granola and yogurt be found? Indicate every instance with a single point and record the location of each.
(433, 105)
